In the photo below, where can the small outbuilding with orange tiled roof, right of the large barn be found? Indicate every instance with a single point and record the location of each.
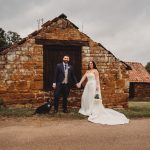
(139, 82)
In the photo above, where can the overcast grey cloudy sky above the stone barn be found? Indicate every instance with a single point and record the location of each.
(121, 26)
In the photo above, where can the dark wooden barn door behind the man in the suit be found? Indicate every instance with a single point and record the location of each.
(52, 55)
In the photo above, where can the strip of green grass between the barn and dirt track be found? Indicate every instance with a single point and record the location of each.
(135, 110)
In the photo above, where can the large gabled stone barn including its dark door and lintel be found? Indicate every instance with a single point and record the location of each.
(27, 68)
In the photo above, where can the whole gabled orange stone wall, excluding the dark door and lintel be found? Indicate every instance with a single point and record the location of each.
(21, 69)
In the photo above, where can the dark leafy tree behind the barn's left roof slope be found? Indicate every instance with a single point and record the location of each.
(8, 39)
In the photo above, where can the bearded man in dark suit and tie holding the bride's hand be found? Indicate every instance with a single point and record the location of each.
(63, 80)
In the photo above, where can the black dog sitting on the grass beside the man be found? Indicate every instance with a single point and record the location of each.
(44, 109)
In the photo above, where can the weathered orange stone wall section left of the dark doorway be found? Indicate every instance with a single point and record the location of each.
(21, 74)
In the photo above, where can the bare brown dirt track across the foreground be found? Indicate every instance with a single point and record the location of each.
(37, 133)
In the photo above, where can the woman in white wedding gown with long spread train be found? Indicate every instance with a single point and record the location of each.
(94, 108)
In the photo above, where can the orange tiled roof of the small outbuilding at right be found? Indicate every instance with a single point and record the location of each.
(138, 73)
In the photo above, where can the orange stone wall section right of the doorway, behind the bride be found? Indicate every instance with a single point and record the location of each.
(113, 76)
